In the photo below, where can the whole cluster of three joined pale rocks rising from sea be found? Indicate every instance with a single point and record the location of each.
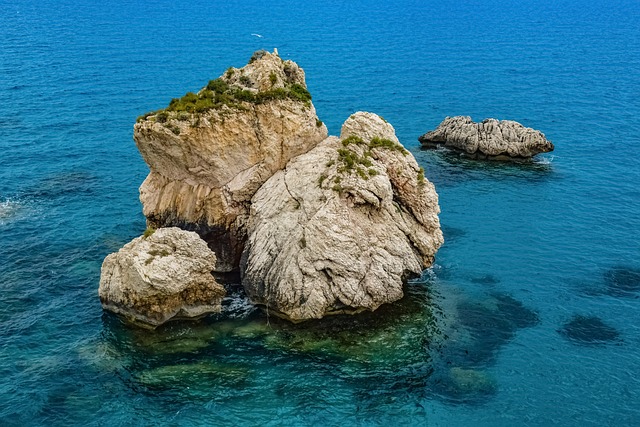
(317, 225)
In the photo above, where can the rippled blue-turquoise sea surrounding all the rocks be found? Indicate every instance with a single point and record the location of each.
(484, 338)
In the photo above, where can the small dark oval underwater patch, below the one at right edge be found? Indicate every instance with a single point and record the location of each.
(589, 331)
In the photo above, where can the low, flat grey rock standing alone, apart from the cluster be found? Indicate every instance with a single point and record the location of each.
(489, 139)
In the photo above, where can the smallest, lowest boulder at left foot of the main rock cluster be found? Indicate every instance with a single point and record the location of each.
(159, 277)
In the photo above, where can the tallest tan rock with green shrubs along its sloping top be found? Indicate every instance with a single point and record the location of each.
(209, 152)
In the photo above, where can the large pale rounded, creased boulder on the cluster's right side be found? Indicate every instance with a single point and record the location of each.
(342, 226)
